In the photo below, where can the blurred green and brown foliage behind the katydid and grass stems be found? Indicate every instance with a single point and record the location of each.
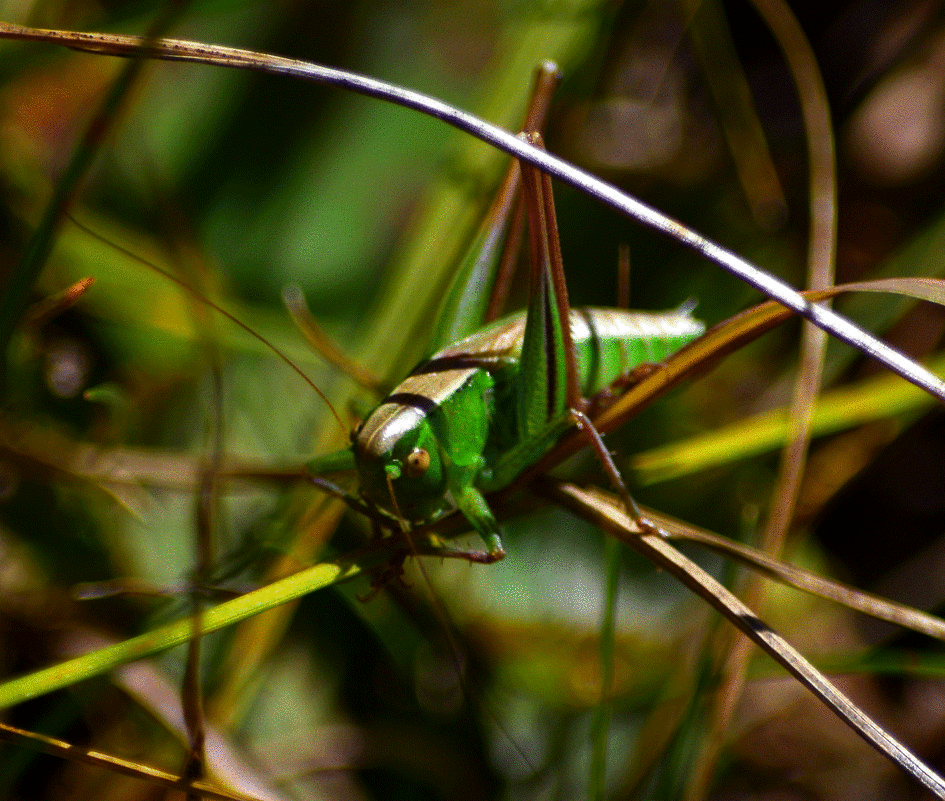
(242, 183)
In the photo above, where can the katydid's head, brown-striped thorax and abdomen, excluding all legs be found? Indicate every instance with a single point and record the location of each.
(428, 439)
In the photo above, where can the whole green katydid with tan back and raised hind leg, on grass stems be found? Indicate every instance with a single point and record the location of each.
(477, 413)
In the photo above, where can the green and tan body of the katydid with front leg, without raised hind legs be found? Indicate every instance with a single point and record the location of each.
(455, 427)
